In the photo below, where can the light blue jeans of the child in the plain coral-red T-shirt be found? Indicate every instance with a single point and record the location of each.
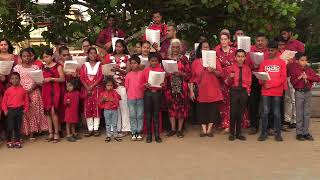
(136, 115)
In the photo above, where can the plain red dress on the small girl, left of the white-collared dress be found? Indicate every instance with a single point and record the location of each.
(71, 109)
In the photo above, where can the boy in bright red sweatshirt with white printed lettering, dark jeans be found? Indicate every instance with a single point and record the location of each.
(272, 90)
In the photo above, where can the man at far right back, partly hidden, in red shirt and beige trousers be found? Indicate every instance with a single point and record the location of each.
(289, 100)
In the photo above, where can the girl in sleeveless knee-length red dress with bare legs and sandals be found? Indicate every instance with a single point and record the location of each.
(53, 76)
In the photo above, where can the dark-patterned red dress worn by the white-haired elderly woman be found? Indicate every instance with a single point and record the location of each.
(177, 93)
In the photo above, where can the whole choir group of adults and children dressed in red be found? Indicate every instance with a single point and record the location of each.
(228, 96)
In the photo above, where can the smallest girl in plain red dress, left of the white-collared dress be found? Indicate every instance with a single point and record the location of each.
(71, 103)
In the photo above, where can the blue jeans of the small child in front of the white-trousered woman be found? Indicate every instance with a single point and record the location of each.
(111, 119)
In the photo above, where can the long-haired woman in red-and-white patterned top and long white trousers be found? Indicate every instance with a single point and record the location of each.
(120, 56)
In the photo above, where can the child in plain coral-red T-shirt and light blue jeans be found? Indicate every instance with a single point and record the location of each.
(135, 98)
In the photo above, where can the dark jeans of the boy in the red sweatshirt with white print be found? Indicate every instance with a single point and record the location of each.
(267, 103)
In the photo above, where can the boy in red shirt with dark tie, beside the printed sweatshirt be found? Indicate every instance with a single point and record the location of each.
(240, 81)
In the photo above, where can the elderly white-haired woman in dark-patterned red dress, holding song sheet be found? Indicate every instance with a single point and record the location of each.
(176, 92)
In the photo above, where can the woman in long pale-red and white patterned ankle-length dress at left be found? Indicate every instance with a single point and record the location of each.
(34, 120)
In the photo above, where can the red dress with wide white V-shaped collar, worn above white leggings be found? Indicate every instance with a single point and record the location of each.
(91, 101)
